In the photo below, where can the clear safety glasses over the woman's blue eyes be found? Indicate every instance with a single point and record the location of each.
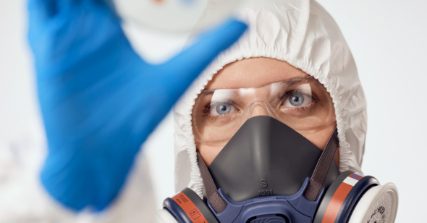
(301, 103)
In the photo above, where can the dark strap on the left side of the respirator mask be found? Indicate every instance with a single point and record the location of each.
(218, 204)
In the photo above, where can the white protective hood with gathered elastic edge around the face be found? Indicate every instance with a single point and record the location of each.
(303, 34)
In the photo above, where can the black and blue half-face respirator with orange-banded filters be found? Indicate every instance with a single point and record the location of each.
(268, 172)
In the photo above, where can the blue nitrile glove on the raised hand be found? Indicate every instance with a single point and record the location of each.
(99, 100)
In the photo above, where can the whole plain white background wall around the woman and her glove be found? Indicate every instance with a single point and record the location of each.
(388, 39)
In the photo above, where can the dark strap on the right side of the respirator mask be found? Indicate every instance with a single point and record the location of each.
(321, 170)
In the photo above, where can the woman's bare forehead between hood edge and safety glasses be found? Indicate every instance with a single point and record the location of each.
(254, 72)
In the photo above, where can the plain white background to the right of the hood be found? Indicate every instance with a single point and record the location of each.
(388, 40)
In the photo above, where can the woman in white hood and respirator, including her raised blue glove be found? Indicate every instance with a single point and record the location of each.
(261, 133)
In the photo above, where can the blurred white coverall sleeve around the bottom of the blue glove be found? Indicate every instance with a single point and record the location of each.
(23, 199)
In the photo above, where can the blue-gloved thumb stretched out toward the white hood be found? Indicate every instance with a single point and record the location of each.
(188, 64)
